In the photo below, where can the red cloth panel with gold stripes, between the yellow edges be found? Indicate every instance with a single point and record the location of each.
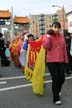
(33, 52)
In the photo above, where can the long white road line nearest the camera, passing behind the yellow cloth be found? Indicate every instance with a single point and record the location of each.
(26, 85)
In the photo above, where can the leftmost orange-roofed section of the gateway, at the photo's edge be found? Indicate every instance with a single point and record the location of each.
(5, 16)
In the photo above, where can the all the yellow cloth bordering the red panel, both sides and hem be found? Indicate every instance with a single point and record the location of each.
(36, 75)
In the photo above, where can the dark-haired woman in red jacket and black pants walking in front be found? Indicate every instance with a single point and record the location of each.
(56, 57)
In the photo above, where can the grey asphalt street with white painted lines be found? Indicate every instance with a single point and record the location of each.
(16, 91)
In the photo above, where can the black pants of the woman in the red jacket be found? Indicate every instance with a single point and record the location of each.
(58, 77)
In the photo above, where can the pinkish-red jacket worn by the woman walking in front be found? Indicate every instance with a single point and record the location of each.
(56, 48)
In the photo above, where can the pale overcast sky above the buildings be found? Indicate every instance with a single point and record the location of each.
(27, 7)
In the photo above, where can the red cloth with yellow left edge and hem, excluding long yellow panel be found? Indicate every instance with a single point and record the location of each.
(32, 52)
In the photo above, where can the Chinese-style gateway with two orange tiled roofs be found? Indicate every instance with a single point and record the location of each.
(8, 22)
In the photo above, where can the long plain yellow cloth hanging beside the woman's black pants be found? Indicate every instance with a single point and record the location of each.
(38, 73)
